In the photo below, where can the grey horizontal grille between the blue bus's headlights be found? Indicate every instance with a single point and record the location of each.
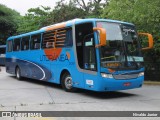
(125, 76)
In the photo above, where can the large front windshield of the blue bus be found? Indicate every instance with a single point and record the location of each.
(122, 50)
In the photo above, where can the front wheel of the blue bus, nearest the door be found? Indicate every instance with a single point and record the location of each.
(67, 83)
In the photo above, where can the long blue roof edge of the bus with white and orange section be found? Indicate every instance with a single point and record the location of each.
(67, 24)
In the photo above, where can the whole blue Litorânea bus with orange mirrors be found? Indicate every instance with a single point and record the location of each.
(92, 54)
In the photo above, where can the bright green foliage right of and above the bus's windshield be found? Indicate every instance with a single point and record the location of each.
(145, 14)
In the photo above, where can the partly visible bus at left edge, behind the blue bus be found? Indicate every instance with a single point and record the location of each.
(2, 54)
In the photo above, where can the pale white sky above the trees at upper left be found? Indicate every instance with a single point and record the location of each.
(22, 6)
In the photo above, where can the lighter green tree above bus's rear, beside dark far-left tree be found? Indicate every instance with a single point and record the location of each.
(34, 19)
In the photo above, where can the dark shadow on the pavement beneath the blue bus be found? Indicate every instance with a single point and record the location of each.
(86, 93)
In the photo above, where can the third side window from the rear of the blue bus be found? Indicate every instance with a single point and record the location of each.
(25, 43)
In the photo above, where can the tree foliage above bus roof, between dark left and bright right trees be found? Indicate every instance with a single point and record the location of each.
(63, 11)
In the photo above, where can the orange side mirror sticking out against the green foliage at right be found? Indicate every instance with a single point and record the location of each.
(150, 40)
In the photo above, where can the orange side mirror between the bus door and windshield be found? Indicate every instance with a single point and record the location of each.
(102, 36)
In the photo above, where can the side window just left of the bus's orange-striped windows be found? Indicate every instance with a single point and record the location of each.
(35, 41)
